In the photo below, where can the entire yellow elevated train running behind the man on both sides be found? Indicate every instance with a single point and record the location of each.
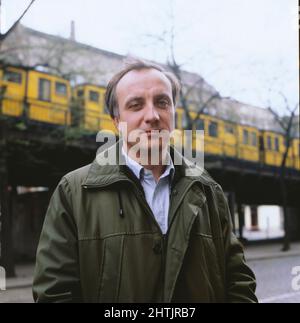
(48, 98)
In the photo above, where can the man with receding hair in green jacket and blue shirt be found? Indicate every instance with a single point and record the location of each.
(140, 232)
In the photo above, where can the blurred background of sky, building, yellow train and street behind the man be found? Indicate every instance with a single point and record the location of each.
(238, 62)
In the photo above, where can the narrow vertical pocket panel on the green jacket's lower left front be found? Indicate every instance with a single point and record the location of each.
(111, 268)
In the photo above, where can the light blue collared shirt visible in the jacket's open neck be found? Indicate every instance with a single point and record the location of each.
(157, 193)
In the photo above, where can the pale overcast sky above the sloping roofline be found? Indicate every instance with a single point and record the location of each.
(246, 49)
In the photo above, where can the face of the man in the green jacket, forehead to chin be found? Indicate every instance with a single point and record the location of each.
(145, 104)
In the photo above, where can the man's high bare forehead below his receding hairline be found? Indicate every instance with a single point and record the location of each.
(139, 81)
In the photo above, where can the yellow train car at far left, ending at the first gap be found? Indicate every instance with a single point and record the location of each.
(37, 95)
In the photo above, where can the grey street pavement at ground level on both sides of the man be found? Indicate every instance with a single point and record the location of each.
(272, 267)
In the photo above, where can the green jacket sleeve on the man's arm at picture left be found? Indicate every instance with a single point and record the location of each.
(56, 277)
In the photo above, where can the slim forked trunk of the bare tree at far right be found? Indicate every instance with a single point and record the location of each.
(286, 125)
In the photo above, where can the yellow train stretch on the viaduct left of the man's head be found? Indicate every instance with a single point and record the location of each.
(49, 98)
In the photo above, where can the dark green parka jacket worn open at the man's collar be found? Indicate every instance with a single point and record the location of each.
(101, 243)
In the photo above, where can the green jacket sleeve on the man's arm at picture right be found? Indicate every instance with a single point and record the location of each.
(240, 282)
